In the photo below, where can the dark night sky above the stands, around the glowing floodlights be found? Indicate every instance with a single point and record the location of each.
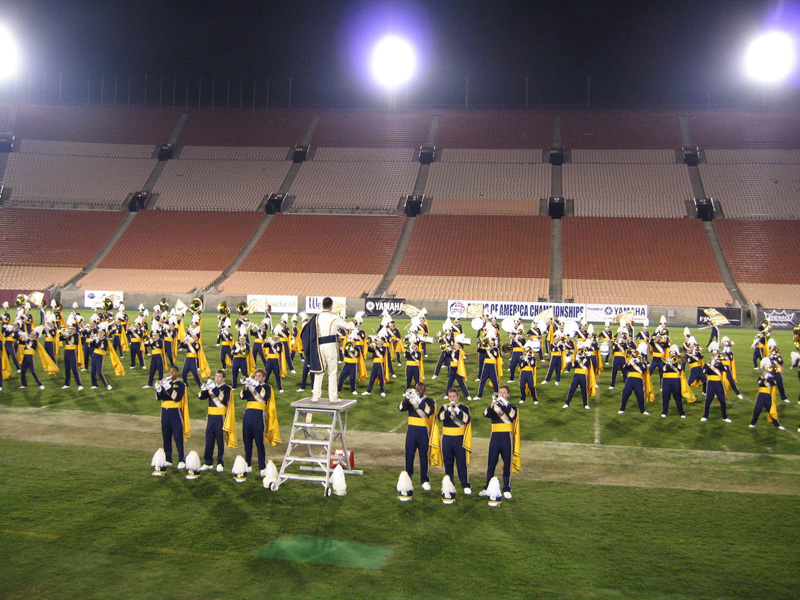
(636, 52)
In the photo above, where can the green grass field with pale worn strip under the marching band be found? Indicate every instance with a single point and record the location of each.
(607, 506)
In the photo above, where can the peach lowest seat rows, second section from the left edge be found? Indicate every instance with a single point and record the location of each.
(169, 281)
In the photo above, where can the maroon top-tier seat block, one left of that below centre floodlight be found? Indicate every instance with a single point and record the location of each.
(244, 127)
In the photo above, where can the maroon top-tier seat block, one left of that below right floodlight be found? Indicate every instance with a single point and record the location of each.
(613, 129)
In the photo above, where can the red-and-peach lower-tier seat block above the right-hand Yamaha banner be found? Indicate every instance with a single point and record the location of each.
(648, 261)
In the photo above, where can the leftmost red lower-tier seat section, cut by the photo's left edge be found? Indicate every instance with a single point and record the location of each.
(54, 238)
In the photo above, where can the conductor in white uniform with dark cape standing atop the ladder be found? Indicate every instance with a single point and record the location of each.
(322, 352)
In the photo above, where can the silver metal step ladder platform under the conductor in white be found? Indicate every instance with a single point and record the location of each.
(319, 428)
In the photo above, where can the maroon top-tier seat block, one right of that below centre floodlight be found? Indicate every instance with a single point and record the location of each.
(495, 129)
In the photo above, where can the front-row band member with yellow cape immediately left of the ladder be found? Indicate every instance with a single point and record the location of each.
(260, 423)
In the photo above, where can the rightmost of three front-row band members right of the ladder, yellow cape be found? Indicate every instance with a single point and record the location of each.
(505, 439)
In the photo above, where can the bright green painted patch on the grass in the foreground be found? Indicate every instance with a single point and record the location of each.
(327, 551)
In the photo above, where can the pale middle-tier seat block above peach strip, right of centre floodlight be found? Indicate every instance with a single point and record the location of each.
(494, 181)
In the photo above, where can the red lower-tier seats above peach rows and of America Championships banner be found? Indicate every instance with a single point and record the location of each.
(478, 246)
